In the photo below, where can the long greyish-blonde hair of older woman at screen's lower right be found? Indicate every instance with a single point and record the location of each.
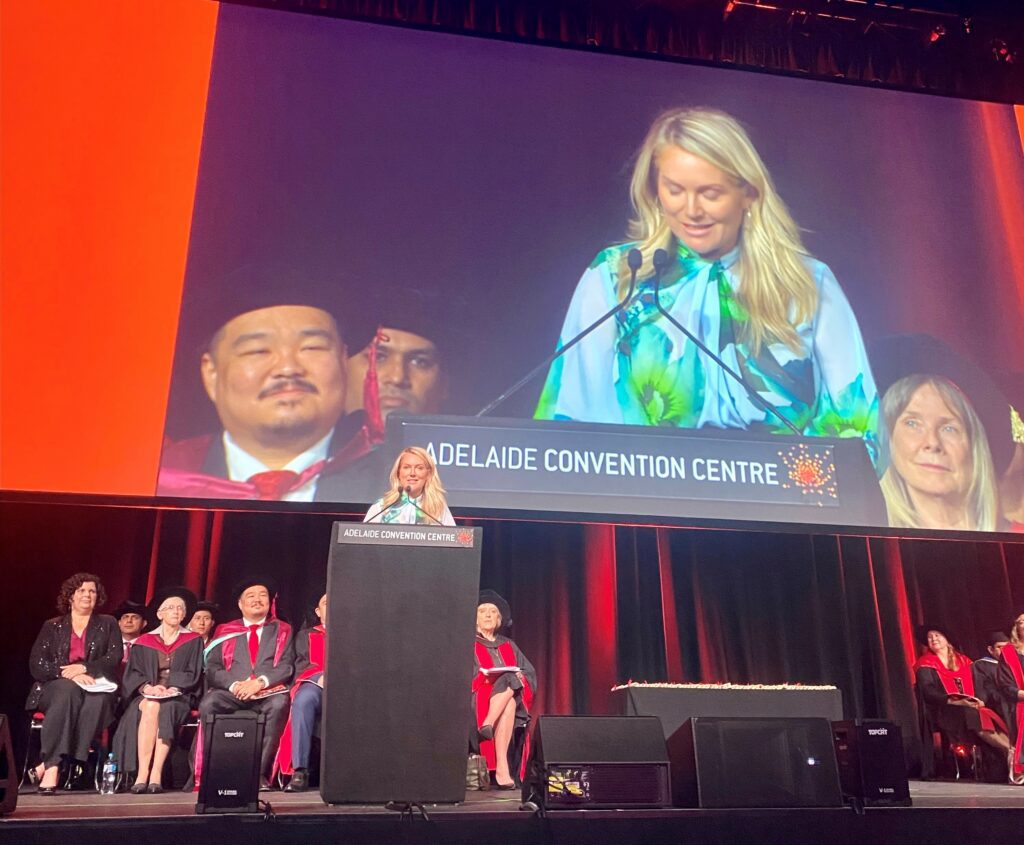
(982, 504)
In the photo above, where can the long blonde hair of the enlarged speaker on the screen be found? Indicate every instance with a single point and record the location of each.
(776, 287)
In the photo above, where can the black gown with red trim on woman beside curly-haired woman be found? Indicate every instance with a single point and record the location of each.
(144, 668)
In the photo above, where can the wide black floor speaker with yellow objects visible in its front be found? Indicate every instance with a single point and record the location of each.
(592, 763)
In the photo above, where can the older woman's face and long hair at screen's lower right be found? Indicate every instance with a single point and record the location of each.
(942, 474)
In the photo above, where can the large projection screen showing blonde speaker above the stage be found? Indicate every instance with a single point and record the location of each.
(595, 285)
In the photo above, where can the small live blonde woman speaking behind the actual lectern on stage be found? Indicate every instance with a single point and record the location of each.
(416, 497)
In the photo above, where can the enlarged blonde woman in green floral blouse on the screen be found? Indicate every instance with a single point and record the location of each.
(737, 277)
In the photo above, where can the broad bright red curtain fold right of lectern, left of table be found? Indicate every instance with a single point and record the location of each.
(602, 659)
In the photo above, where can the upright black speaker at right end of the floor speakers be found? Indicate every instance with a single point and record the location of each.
(872, 769)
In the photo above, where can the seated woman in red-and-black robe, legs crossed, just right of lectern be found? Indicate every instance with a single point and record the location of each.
(504, 687)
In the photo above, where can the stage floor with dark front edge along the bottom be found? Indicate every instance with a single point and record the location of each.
(971, 813)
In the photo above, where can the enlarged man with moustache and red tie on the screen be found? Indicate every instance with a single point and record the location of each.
(277, 377)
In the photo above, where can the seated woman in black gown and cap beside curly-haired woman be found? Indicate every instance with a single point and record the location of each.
(161, 682)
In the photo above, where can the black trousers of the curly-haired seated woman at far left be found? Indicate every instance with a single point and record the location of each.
(74, 717)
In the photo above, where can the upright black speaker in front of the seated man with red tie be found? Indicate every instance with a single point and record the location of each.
(232, 744)
